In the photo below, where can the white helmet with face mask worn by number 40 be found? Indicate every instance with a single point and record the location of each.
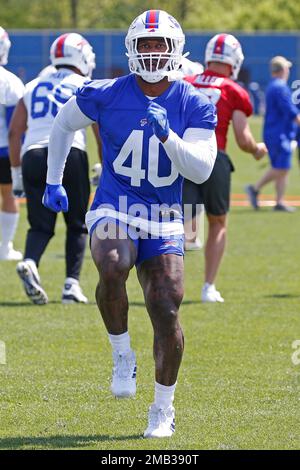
(153, 67)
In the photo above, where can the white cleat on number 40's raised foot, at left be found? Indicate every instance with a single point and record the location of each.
(123, 383)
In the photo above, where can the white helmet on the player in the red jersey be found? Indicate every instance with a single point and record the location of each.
(225, 48)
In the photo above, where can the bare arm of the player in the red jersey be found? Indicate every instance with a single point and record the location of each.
(244, 137)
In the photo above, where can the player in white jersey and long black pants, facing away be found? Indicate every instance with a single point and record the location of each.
(73, 59)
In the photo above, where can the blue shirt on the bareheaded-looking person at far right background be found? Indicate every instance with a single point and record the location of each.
(279, 122)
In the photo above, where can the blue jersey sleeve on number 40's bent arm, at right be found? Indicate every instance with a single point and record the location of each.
(203, 114)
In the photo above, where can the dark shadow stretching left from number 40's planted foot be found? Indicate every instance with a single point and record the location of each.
(60, 442)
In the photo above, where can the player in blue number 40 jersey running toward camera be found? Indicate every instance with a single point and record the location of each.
(155, 130)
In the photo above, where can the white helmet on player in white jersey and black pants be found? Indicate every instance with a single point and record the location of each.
(73, 49)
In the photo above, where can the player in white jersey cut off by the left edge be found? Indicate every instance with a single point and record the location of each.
(11, 90)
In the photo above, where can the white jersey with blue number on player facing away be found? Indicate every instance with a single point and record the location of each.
(43, 98)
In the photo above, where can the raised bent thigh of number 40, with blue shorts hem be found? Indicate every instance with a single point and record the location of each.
(115, 255)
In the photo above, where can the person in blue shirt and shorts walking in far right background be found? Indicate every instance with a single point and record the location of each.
(281, 119)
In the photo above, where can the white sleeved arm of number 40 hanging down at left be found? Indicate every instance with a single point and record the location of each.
(69, 119)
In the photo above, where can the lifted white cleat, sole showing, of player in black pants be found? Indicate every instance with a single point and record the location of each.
(29, 275)
